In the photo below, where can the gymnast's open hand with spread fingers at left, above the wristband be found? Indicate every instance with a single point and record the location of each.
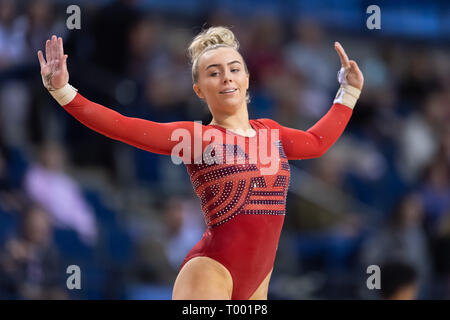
(54, 71)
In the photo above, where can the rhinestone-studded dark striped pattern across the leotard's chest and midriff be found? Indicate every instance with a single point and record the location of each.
(227, 190)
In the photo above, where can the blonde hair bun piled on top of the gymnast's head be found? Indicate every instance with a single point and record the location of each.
(212, 37)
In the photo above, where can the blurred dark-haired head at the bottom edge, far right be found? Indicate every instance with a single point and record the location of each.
(398, 281)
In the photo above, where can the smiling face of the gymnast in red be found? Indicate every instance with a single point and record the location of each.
(222, 80)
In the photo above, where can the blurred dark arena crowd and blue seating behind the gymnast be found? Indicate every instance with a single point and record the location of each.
(381, 195)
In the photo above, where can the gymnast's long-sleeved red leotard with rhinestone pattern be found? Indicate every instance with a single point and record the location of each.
(243, 208)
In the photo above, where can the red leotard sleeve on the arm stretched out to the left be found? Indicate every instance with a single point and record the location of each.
(148, 135)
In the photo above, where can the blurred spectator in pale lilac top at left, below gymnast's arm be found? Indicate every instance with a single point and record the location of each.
(47, 184)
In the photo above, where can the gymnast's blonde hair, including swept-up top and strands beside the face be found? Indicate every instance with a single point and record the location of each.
(210, 39)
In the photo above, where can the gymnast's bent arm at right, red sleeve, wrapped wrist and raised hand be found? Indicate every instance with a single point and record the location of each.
(318, 139)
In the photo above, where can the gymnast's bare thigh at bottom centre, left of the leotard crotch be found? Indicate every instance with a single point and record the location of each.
(203, 278)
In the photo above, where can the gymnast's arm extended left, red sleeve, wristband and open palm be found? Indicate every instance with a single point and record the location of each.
(148, 135)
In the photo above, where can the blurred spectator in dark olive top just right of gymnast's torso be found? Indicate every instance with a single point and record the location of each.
(329, 228)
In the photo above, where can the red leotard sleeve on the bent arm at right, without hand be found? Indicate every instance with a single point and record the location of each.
(314, 142)
